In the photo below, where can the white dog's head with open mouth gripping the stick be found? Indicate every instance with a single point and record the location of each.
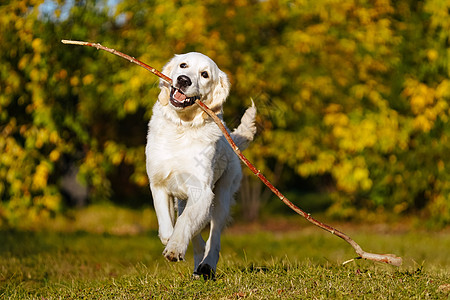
(195, 76)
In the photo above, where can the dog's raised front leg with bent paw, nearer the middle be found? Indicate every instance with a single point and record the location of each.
(194, 217)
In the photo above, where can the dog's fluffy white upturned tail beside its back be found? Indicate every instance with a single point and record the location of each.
(245, 132)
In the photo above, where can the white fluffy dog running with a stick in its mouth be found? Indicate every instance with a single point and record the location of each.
(190, 165)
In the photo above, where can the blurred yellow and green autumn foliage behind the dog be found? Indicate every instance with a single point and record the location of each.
(353, 100)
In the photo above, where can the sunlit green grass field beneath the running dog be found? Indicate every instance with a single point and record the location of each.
(264, 261)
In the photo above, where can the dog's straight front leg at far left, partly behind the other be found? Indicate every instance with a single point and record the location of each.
(165, 212)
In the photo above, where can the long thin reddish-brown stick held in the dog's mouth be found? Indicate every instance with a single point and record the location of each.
(386, 258)
